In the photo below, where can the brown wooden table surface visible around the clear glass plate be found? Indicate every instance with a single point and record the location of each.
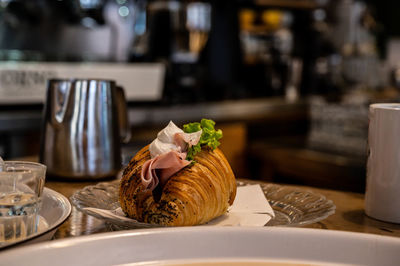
(349, 214)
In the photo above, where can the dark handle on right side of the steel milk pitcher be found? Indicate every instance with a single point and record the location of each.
(122, 113)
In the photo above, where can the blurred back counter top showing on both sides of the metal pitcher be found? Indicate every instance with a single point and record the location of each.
(29, 118)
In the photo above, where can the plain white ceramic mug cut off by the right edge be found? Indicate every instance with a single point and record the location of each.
(382, 197)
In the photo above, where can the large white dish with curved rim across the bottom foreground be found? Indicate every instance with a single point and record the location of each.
(186, 245)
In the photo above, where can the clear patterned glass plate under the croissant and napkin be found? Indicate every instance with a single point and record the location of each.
(293, 206)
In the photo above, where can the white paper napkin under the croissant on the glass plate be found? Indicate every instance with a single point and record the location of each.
(250, 208)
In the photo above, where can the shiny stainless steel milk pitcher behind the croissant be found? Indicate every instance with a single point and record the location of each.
(84, 123)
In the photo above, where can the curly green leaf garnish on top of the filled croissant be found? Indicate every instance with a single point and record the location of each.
(209, 136)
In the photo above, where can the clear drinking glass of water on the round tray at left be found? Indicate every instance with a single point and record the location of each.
(21, 188)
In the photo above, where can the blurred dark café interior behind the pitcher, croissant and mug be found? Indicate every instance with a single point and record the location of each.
(288, 81)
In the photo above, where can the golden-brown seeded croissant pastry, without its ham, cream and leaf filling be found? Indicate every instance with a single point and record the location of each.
(194, 195)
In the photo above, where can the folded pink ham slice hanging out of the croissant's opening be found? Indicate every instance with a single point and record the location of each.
(160, 168)
